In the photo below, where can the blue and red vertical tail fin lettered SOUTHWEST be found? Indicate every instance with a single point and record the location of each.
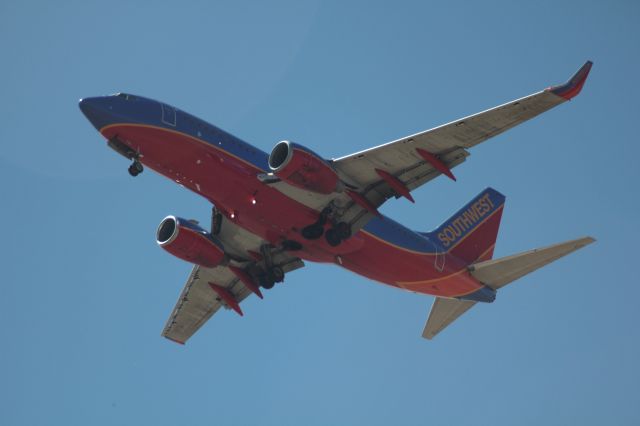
(471, 233)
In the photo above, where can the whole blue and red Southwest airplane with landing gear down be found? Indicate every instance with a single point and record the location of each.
(273, 211)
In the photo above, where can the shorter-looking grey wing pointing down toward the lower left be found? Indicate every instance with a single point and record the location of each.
(209, 289)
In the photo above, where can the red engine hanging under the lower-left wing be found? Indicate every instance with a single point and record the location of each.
(189, 242)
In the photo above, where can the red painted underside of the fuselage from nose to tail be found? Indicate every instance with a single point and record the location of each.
(231, 184)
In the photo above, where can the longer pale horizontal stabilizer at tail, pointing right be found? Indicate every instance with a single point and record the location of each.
(497, 273)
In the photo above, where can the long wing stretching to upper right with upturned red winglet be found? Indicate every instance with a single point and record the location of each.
(395, 168)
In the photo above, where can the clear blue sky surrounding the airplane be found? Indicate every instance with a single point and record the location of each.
(85, 291)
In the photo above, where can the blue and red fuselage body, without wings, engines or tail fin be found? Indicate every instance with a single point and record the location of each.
(224, 170)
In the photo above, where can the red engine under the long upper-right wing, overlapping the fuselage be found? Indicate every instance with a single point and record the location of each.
(301, 167)
